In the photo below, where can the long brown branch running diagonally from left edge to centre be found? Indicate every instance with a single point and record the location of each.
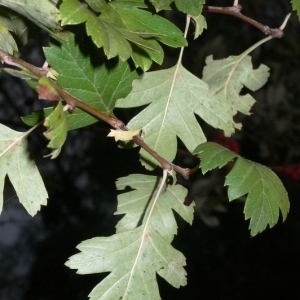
(74, 102)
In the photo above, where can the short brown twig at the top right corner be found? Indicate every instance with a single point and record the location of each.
(235, 11)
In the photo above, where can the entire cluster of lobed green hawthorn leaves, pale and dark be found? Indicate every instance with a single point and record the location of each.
(125, 38)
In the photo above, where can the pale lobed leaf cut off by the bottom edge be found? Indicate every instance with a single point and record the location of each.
(133, 258)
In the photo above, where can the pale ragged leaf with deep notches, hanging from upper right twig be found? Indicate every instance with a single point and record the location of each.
(227, 77)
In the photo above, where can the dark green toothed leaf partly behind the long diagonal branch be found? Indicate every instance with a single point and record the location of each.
(97, 85)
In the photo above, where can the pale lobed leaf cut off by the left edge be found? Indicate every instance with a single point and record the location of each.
(21, 170)
